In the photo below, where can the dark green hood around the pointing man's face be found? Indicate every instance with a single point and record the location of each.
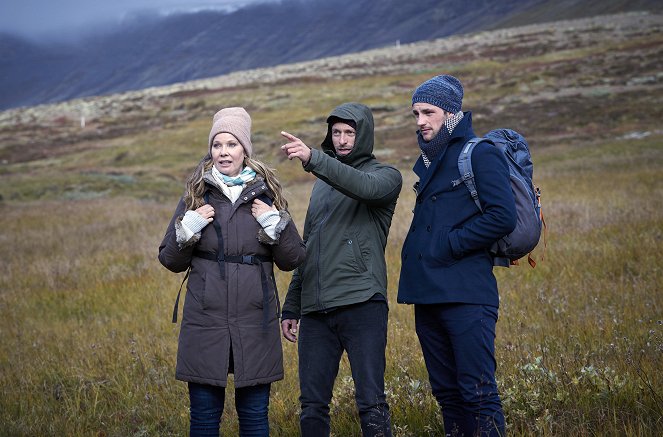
(363, 147)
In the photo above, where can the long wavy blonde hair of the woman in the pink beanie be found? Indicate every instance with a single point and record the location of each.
(195, 184)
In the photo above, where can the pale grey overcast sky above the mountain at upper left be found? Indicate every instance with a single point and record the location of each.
(35, 18)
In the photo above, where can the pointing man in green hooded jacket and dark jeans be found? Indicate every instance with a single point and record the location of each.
(338, 296)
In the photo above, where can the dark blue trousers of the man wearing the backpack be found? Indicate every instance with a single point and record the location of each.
(458, 343)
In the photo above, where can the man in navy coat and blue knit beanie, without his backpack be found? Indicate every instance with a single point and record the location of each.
(447, 268)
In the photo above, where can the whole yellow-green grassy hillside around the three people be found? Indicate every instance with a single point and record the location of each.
(86, 343)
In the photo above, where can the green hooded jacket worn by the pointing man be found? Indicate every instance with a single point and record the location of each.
(347, 223)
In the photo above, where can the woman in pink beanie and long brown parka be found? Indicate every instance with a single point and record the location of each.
(230, 322)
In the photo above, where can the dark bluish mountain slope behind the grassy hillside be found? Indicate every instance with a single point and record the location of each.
(150, 49)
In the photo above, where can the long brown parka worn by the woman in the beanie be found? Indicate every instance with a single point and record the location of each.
(228, 311)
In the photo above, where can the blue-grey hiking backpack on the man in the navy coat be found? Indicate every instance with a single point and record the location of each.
(524, 238)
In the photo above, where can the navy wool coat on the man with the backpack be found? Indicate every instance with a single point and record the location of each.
(445, 256)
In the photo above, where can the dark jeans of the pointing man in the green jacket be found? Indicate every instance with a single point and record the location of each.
(360, 330)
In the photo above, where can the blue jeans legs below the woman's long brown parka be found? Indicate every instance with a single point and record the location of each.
(207, 403)
